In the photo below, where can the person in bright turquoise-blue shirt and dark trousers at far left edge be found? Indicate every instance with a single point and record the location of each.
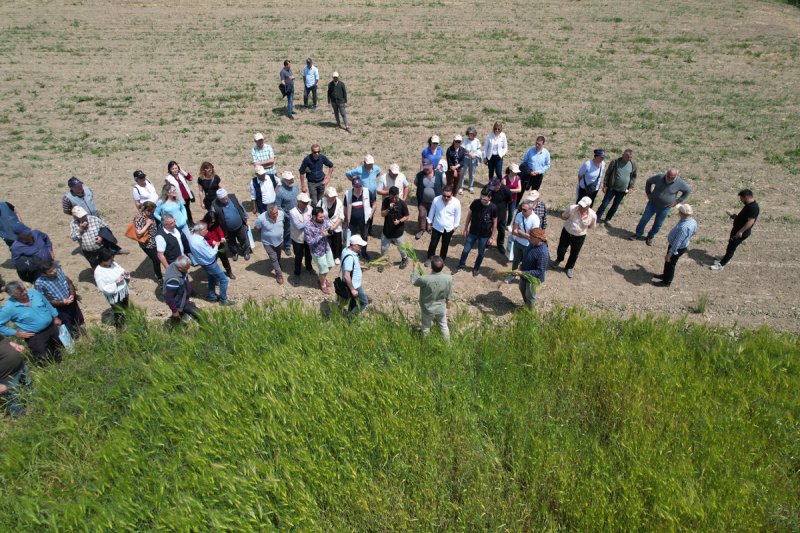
(35, 319)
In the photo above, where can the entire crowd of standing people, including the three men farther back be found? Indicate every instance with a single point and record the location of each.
(188, 221)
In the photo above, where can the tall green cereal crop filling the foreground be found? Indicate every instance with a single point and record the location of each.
(268, 417)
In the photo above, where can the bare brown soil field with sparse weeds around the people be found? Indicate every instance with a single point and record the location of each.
(99, 89)
